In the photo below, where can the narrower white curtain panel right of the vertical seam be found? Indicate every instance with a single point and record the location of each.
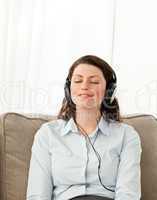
(135, 53)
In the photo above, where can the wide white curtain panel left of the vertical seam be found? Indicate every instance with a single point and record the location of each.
(39, 40)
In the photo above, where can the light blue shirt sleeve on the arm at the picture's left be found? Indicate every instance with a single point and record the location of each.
(40, 184)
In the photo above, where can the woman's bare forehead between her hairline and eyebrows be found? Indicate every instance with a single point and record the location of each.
(87, 70)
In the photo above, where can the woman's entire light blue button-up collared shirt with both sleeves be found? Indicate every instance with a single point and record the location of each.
(63, 163)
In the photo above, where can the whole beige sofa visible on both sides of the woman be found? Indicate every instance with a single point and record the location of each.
(17, 131)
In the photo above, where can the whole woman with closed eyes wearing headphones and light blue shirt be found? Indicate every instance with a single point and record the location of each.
(88, 152)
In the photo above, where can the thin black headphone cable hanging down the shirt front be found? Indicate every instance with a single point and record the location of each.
(97, 155)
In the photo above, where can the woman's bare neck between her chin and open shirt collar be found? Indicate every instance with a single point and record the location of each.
(87, 119)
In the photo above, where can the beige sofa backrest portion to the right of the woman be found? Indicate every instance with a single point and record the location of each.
(146, 125)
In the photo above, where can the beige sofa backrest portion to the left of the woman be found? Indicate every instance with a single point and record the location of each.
(17, 133)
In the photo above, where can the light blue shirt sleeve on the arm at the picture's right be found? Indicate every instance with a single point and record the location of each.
(128, 185)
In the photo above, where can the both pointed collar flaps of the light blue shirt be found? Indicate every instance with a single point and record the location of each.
(70, 126)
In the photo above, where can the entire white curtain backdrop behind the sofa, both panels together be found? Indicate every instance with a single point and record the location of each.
(40, 39)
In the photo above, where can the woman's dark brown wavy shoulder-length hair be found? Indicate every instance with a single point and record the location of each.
(110, 112)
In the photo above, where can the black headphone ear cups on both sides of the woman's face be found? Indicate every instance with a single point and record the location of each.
(110, 91)
